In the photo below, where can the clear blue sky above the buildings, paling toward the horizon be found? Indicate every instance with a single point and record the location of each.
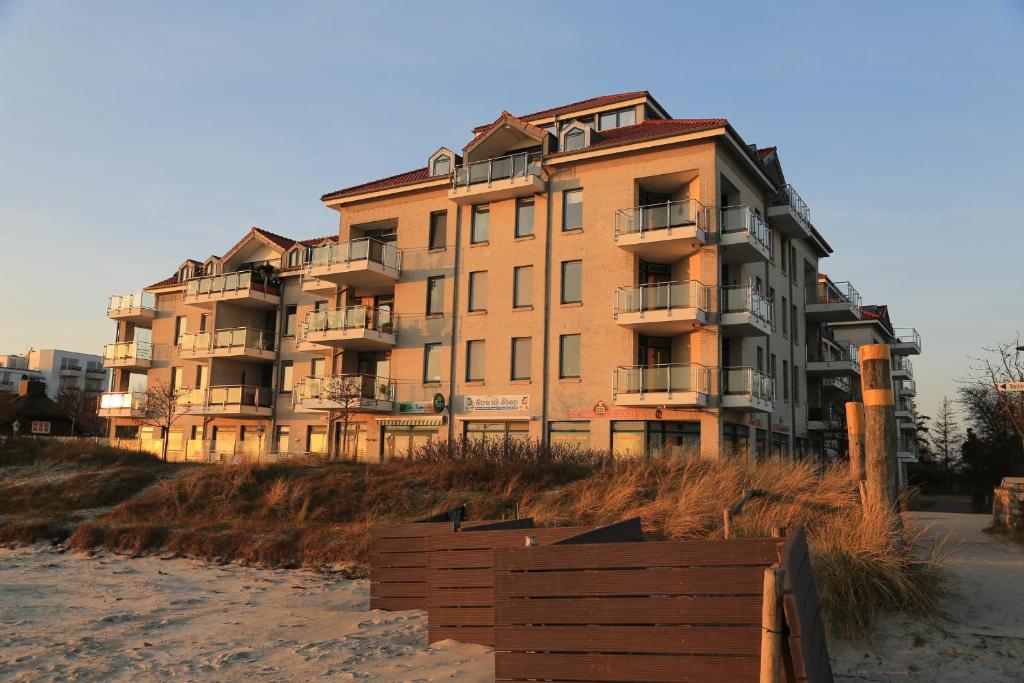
(134, 136)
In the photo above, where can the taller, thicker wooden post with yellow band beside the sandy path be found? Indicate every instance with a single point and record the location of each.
(881, 468)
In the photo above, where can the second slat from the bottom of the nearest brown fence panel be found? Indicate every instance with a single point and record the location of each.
(631, 639)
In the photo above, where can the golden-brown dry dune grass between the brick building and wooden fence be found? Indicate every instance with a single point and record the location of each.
(319, 515)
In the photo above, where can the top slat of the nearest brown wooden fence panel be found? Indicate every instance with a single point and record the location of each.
(752, 552)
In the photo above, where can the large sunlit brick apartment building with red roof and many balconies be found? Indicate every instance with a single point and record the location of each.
(599, 274)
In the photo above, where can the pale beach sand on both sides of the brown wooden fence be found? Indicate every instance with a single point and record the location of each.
(67, 616)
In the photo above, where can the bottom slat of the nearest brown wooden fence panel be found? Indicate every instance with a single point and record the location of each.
(626, 668)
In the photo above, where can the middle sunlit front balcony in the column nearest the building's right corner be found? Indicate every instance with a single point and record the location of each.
(664, 310)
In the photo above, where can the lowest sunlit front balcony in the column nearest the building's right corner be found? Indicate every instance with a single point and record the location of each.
(677, 386)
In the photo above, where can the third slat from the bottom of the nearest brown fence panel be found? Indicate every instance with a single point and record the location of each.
(632, 611)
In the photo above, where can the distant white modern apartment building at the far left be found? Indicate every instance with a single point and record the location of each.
(58, 368)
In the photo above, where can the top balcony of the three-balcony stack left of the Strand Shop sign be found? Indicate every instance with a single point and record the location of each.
(367, 265)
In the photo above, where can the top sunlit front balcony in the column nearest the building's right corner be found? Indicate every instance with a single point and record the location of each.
(663, 233)
